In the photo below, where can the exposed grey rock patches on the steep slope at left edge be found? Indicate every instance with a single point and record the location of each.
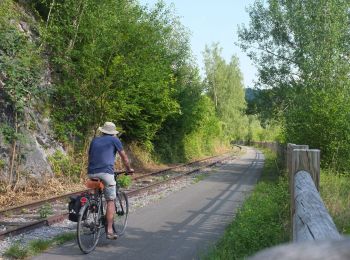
(35, 141)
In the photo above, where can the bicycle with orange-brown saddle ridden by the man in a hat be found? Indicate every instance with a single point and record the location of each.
(92, 218)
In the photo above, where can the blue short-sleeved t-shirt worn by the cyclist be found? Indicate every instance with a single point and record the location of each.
(102, 153)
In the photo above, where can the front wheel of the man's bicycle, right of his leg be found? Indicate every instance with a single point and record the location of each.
(122, 211)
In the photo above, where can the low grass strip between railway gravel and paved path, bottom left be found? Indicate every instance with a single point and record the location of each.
(35, 247)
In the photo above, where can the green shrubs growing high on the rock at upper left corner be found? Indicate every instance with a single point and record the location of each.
(20, 61)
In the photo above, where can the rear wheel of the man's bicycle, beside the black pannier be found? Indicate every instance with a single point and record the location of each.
(89, 227)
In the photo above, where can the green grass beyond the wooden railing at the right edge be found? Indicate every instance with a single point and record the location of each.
(335, 193)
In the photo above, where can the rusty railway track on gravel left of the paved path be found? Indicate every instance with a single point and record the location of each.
(23, 218)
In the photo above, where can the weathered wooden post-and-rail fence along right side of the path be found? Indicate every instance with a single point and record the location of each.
(312, 226)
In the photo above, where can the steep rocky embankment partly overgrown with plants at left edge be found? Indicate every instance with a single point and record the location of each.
(26, 138)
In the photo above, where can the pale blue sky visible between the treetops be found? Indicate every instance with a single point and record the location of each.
(212, 21)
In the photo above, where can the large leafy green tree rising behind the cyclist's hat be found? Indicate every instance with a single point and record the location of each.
(122, 65)
